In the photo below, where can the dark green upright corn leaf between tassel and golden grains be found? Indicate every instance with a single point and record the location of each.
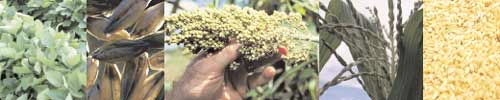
(408, 84)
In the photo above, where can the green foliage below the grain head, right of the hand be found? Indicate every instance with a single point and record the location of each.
(299, 82)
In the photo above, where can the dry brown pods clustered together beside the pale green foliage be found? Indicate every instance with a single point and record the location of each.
(127, 64)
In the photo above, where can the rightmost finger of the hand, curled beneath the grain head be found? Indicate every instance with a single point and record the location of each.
(262, 78)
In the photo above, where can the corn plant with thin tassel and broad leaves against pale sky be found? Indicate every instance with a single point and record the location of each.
(394, 75)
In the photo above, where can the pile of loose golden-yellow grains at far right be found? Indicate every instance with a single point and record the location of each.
(462, 49)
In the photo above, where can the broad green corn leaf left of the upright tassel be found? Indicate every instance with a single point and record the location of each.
(364, 38)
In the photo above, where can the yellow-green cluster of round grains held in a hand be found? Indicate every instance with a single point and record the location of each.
(259, 34)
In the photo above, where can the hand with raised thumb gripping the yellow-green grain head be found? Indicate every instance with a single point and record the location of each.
(206, 78)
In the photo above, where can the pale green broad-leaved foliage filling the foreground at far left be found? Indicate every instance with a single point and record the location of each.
(37, 61)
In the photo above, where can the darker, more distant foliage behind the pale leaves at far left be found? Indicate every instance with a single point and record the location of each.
(65, 15)
